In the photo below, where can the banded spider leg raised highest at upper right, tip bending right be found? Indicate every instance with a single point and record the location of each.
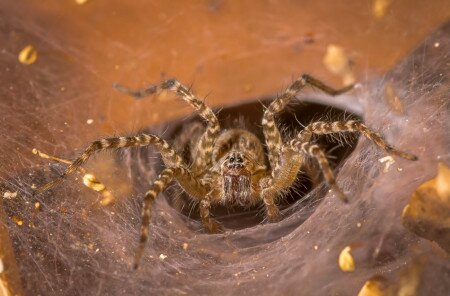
(271, 132)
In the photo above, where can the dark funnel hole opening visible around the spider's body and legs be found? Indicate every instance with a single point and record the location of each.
(248, 116)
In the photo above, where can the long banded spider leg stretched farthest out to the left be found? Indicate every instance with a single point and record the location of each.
(170, 157)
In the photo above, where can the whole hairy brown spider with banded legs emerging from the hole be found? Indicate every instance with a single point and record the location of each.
(230, 167)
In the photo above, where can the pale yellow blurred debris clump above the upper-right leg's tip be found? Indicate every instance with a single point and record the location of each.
(337, 62)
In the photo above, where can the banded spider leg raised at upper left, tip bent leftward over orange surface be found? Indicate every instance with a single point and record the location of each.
(205, 145)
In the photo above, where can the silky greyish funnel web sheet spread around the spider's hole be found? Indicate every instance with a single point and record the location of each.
(69, 245)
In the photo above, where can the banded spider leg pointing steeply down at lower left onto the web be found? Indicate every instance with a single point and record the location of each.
(157, 187)
